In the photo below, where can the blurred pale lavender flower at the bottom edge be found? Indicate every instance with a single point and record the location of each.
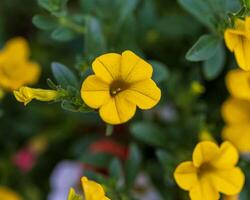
(64, 176)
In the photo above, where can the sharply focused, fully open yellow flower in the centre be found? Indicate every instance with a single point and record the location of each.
(121, 82)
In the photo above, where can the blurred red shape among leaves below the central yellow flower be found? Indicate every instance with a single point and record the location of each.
(109, 146)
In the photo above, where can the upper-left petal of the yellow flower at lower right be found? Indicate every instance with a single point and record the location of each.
(205, 152)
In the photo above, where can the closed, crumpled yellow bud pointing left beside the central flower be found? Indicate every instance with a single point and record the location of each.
(26, 94)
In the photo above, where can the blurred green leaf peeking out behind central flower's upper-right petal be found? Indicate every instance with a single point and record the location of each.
(161, 72)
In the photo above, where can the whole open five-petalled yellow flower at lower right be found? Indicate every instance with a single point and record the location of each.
(211, 171)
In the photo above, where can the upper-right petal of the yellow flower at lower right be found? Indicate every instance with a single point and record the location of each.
(228, 156)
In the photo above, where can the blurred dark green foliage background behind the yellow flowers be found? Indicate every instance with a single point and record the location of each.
(45, 147)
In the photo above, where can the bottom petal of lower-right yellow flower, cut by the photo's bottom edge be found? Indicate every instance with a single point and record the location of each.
(204, 191)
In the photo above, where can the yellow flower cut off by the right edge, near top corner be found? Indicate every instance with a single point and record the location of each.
(238, 41)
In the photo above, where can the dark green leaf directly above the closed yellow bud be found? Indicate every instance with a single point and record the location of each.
(64, 76)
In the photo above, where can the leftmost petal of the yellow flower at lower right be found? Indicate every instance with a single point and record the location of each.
(186, 175)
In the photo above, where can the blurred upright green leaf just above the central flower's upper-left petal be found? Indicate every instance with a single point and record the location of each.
(94, 39)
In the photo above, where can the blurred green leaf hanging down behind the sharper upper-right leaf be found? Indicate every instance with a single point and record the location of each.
(213, 66)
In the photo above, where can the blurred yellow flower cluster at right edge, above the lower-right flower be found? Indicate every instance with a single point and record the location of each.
(236, 110)
